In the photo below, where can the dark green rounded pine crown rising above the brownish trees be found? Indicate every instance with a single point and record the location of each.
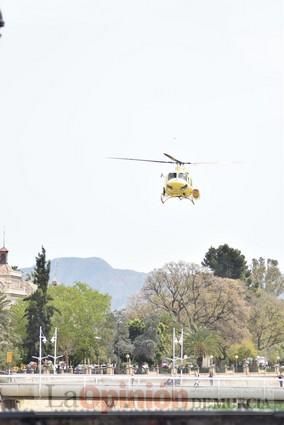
(226, 262)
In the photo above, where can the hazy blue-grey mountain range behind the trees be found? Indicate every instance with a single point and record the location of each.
(120, 284)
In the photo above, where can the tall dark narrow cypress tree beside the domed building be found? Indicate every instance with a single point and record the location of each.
(39, 312)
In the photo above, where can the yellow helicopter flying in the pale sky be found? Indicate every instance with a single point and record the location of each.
(177, 183)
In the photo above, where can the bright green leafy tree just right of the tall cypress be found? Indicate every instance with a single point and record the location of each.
(84, 322)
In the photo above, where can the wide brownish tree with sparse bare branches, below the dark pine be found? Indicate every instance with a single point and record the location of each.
(195, 299)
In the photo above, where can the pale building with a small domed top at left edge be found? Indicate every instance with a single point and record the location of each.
(12, 283)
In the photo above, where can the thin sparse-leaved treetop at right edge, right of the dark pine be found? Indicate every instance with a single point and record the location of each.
(265, 274)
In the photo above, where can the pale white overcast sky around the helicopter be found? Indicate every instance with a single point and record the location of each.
(81, 81)
